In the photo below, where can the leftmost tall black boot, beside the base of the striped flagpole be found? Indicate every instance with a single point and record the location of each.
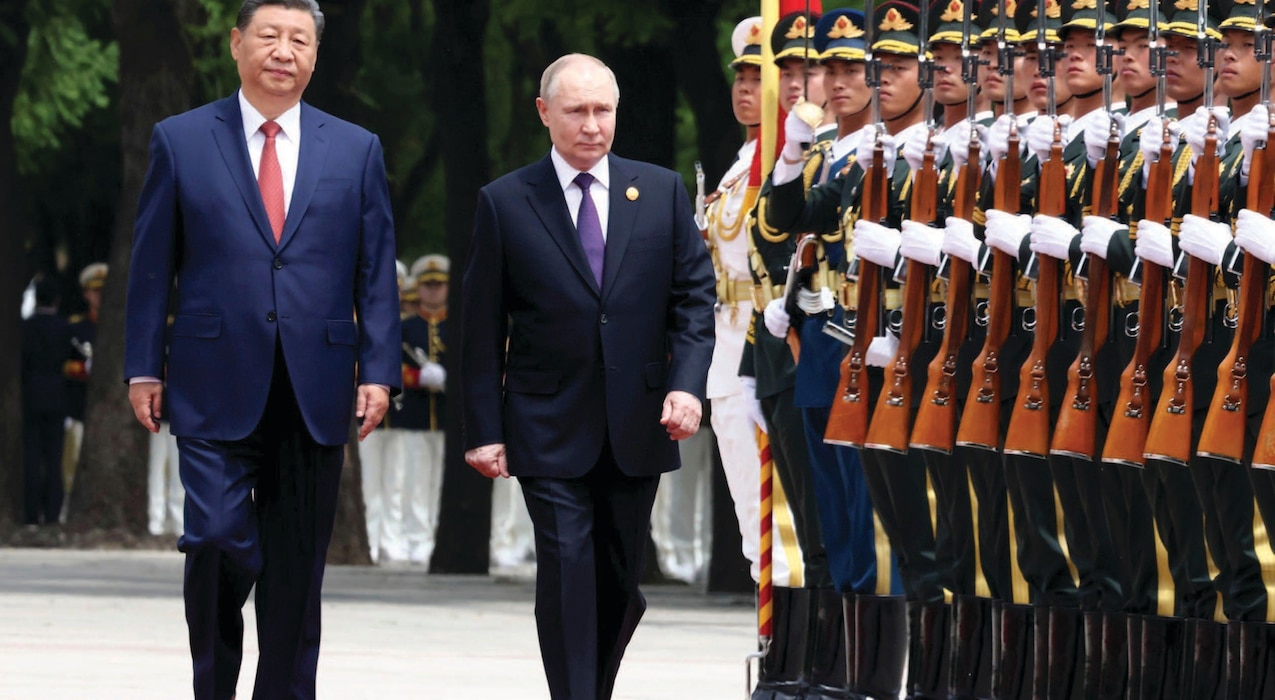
(781, 675)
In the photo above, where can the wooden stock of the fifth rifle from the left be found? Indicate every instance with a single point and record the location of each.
(1030, 424)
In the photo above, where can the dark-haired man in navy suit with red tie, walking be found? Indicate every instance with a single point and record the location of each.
(275, 221)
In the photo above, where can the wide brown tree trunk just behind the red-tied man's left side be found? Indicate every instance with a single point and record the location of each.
(156, 81)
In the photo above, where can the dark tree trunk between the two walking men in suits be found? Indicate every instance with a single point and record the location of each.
(465, 514)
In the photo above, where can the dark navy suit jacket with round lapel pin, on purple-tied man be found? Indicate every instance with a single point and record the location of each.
(583, 364)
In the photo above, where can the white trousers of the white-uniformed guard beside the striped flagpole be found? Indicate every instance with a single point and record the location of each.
(738, 443)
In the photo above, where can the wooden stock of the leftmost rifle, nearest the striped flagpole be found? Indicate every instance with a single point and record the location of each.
(849, 419)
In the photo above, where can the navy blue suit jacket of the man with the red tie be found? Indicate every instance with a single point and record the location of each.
(201, 220)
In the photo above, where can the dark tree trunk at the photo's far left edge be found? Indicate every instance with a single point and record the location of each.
(13, 276)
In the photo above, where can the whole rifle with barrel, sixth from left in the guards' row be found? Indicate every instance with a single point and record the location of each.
(1077, 432)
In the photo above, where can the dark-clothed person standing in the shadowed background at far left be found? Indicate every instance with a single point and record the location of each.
(47, 346)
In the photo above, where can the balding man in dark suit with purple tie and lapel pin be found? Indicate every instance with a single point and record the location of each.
(590, 270)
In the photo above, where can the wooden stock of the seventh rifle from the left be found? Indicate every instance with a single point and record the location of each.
(1132, 420)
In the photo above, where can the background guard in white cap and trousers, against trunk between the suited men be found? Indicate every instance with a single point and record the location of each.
(424, 406)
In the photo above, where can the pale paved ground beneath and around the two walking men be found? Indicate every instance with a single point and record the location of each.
(109, 625)
